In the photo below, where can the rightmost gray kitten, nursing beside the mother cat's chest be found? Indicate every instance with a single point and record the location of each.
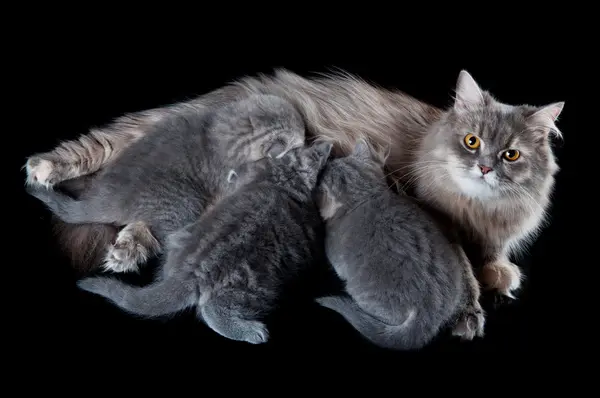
(405, 278)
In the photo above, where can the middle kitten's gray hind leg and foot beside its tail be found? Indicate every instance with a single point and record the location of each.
(234, 315)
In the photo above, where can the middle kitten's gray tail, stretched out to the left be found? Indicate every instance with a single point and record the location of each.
(160, 298)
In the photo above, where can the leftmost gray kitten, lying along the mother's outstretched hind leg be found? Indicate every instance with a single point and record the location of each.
(163, 182)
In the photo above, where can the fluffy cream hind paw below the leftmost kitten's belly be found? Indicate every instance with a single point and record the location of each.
(134, 246)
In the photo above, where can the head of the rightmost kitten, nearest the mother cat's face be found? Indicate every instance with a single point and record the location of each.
(351, 179)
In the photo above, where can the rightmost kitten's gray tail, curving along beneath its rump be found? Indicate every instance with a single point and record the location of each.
(380, 333)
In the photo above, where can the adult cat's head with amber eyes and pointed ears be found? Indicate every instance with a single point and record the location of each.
(484, 149)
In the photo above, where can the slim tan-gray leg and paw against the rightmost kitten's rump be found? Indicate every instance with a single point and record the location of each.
(471, 318)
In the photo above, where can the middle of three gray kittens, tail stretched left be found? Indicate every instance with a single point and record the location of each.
(231, 264)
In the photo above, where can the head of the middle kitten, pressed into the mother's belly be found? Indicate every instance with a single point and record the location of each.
(298, 167)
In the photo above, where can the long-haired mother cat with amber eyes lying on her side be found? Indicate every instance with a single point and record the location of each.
(438, 151)
